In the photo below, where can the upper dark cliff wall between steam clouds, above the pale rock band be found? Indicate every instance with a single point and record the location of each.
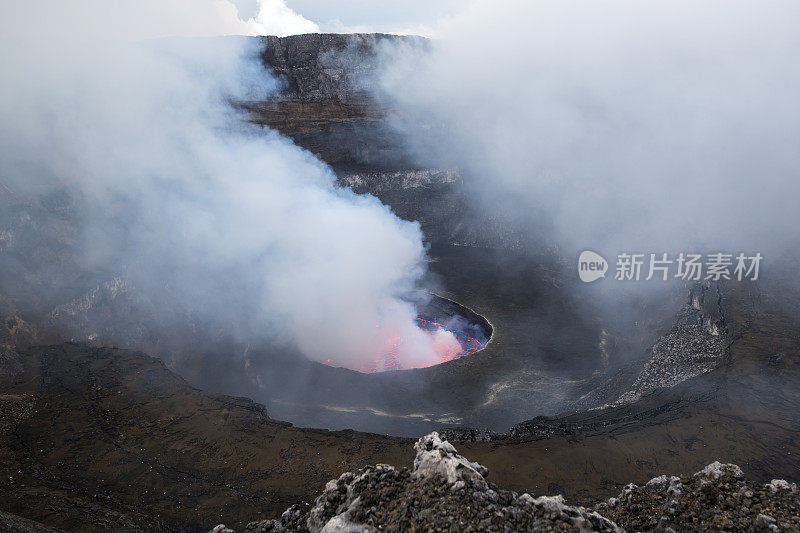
(325, 104)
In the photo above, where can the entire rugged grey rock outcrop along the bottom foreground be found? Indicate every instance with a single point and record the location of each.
(446, 492)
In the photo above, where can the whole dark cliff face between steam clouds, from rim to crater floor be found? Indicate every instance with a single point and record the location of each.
(330, 104)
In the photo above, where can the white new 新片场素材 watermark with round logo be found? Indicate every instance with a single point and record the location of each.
(686, 266)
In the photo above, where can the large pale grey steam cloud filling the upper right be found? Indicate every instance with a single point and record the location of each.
(615, 125)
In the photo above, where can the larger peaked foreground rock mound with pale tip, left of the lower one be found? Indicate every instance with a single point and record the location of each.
(442, 492)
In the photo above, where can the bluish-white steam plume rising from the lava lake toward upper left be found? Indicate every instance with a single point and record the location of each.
(180, 194)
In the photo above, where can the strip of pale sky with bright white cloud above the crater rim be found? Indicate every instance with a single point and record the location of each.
(117, 20)
